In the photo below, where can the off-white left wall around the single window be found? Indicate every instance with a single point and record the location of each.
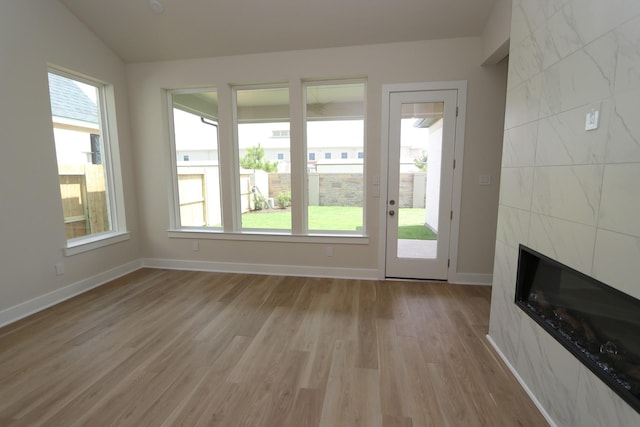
(34, 33)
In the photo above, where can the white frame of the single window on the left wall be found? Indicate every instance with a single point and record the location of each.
(111, 160)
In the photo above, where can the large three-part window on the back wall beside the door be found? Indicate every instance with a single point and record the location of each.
(264, 148)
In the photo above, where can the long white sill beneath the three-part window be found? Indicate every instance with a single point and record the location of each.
(257, 236)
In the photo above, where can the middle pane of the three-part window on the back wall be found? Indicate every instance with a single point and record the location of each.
(261, 112)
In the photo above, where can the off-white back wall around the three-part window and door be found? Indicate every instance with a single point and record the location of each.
(455, 59)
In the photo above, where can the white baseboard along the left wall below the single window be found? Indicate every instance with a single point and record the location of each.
(27, 308)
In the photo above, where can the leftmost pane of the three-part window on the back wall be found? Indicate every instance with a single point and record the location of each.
(195, 130)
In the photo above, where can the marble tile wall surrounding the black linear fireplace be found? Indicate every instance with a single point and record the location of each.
(571, 194)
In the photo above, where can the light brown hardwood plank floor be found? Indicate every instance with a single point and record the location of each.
(176, 348)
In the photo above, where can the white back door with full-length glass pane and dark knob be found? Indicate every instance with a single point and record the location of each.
(422, 126)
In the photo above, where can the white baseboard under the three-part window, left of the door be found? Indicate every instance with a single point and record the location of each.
(281, 270)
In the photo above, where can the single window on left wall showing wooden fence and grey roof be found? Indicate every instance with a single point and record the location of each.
(91, 194)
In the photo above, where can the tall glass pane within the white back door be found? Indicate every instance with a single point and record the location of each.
(419, 192)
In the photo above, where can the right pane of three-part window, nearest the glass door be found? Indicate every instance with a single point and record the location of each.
(334, 115)
